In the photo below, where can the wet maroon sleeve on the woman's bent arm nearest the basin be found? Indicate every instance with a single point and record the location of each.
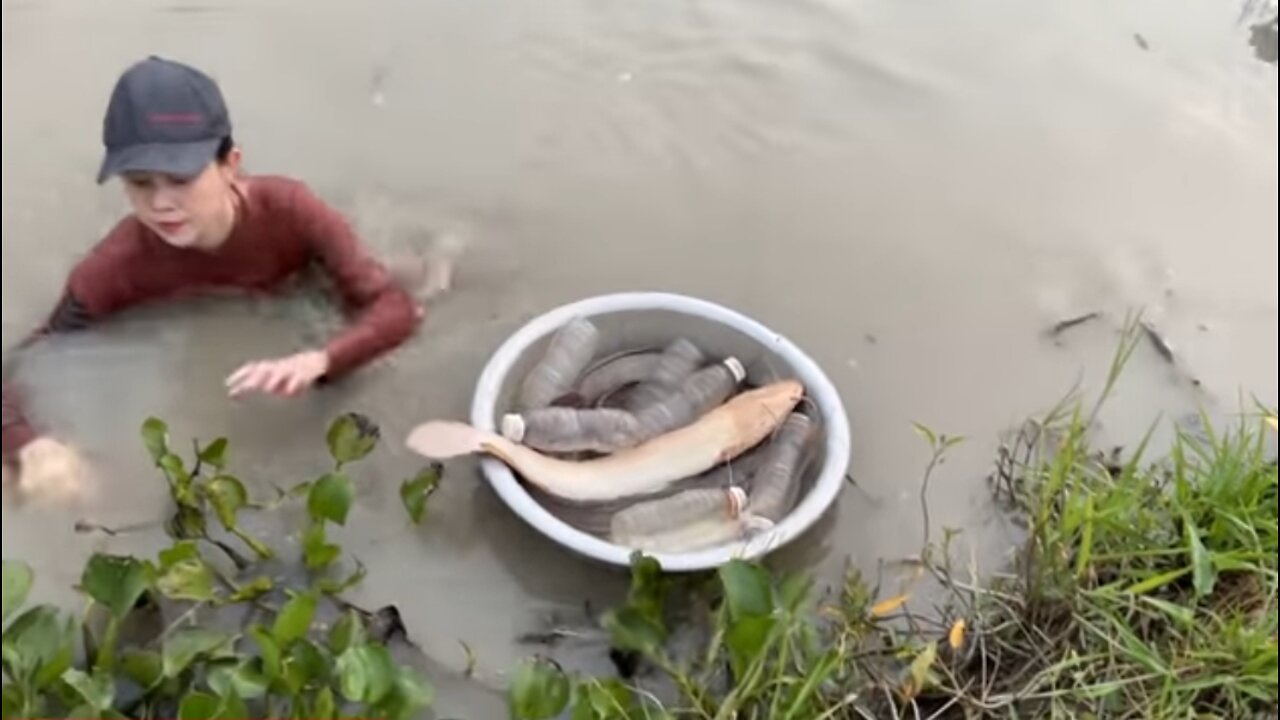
(385, 315)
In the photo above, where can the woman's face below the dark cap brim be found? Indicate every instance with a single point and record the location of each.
(190, 213)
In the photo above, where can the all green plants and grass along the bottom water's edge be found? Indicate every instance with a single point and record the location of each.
(1145, 587)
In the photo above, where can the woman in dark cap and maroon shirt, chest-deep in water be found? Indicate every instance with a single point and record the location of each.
(199, 225)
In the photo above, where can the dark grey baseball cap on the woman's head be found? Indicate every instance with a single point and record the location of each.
(163, 117)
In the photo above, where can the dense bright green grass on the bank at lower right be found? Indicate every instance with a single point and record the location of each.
(1146, 590)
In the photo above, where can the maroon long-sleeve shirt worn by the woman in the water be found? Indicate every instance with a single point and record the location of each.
(282, 226)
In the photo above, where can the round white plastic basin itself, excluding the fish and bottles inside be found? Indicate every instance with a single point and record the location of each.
(636, 320)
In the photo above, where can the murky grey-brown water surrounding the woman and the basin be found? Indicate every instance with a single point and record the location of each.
(912, 192)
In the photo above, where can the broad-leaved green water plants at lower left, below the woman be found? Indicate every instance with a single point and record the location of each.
(208, 630)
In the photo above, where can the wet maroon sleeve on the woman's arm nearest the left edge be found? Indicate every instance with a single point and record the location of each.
(100, 285)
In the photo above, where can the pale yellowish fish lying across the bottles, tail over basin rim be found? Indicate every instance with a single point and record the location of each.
(717, 438)
